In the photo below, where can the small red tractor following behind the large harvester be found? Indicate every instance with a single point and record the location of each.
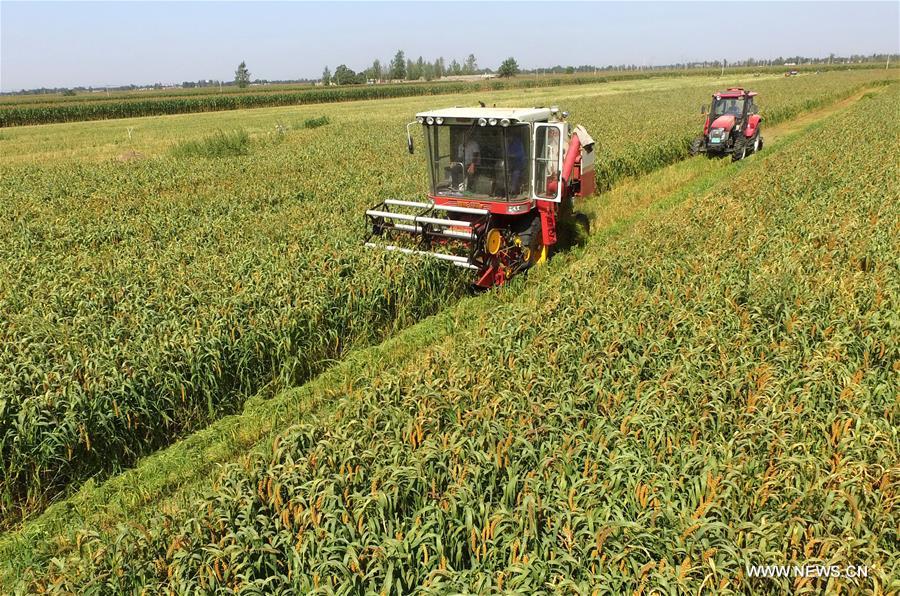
(732, 125)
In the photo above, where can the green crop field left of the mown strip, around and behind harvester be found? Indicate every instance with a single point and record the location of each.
(145, 294)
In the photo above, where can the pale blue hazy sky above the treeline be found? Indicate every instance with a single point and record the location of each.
(55, 44)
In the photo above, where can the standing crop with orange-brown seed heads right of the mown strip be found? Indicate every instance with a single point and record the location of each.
(717, 388)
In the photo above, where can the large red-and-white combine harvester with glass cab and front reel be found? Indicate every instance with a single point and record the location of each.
(499, 180)
